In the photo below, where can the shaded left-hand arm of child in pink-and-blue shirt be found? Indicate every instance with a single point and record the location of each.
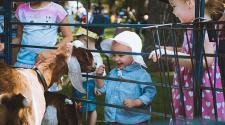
(19, 34)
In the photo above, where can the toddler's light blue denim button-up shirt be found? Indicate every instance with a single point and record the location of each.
(116, 92)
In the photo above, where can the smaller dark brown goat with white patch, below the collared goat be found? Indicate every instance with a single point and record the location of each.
(60, 110)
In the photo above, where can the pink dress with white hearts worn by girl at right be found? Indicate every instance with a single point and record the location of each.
(208, 111)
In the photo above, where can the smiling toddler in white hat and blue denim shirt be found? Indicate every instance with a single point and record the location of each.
(122, 93)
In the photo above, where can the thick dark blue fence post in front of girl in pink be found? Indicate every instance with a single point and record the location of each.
(198, 43)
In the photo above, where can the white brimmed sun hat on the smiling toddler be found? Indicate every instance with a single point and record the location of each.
(127, 38)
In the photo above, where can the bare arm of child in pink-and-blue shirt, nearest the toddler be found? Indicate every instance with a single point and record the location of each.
(66, 32)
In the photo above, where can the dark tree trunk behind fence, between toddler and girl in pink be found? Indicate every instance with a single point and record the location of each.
(158, 13)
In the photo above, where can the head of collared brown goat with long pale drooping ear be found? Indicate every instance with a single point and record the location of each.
(66, 59)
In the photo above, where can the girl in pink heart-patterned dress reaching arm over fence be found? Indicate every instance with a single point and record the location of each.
(185, 11)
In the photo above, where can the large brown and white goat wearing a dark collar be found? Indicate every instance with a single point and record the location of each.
(22, 99)
